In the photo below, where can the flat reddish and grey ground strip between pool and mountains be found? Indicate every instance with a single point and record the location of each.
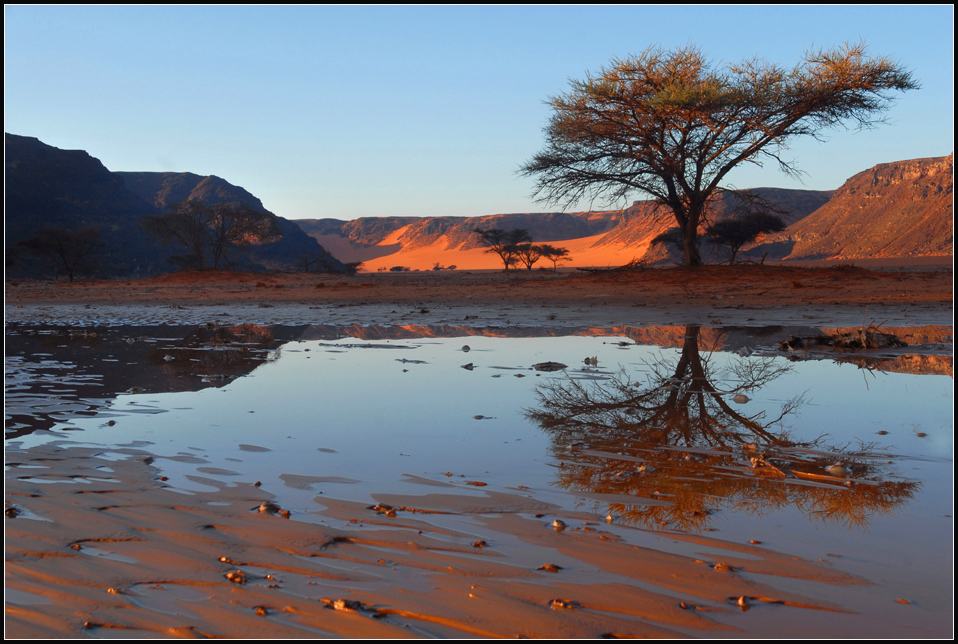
(752, 295)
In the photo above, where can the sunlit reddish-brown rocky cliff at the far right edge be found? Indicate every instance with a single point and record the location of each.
(901, 209)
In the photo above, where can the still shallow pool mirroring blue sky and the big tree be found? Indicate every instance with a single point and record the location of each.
(683, 429)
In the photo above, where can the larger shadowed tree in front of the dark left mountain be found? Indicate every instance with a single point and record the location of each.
(208, 232)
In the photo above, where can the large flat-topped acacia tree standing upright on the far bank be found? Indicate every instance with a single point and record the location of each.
(671, 125)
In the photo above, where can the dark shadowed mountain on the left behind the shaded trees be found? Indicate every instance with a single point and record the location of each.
(46, 186)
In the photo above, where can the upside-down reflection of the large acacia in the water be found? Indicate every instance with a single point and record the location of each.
(680, 446)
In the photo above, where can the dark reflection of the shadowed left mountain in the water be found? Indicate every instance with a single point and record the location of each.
(55, 374)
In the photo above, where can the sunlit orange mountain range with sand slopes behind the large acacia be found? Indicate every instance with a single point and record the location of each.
(901, 209)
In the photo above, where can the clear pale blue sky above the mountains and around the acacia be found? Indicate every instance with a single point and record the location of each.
(349, 112)
